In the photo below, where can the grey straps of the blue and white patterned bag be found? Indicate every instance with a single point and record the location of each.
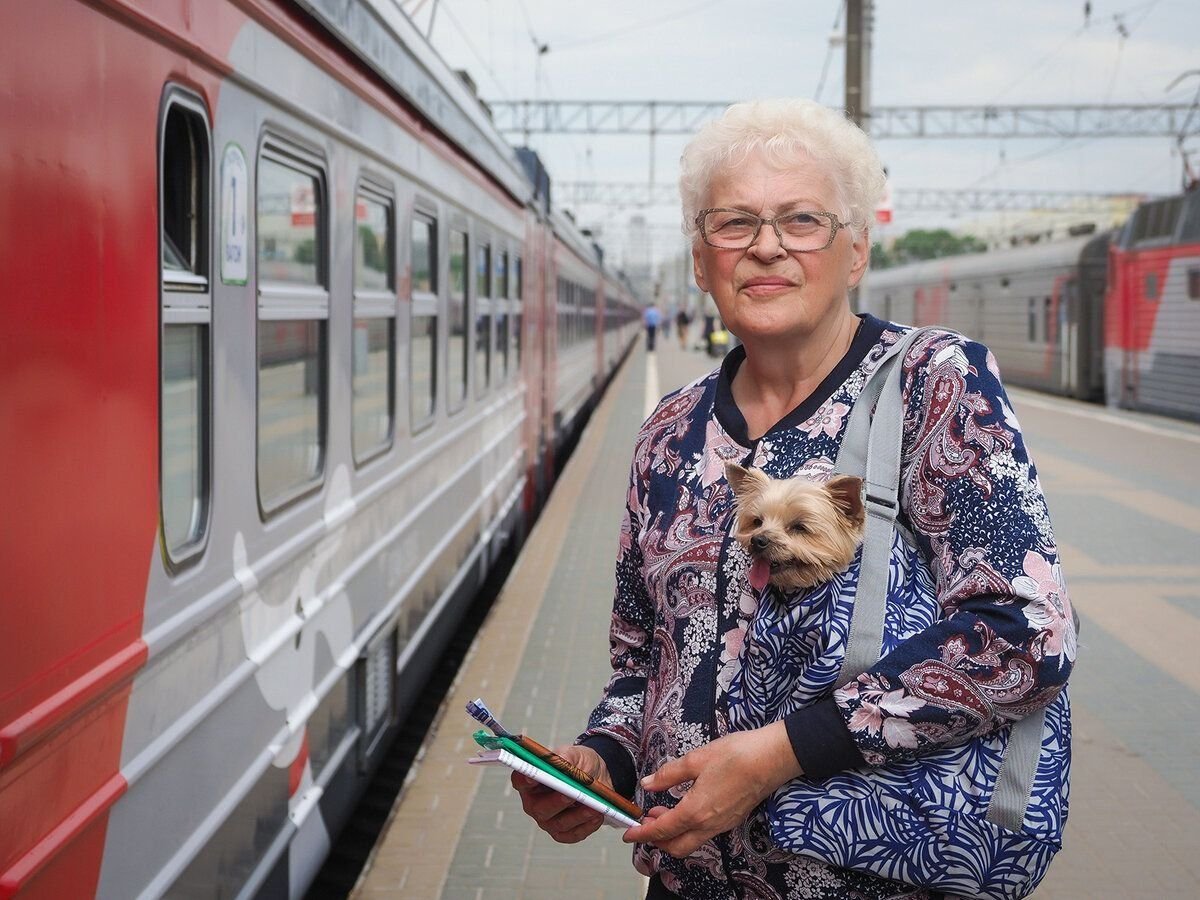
(871, 449)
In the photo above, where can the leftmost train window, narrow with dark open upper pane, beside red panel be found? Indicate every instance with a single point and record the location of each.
(184, 445)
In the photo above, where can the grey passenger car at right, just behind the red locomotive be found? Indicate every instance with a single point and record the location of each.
(1040, 309)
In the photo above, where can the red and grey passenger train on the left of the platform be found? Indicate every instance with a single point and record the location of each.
(280, 344)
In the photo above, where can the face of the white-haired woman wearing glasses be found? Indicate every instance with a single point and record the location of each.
(767, 295)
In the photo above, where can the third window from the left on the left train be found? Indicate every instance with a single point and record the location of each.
(375, 326)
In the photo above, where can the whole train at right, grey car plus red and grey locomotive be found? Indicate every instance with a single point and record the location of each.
(1112, 317)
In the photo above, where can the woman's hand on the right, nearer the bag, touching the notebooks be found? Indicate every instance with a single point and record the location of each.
(731, 777)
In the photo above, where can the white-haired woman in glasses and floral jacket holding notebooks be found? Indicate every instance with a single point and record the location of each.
(778, 197)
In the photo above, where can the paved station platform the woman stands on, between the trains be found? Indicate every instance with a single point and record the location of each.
(1126, 499)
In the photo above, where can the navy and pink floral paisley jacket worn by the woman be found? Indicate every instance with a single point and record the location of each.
(979, 625)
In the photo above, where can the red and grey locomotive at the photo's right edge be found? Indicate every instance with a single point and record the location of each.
(1153, 319)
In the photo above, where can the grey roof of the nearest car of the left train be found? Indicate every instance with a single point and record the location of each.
(382, 35)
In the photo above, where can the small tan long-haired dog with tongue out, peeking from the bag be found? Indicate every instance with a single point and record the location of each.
(797, 532)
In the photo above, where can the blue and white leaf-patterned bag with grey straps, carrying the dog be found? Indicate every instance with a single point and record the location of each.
(980, 820)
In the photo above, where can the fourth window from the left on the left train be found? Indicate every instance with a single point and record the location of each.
(423, 351)
